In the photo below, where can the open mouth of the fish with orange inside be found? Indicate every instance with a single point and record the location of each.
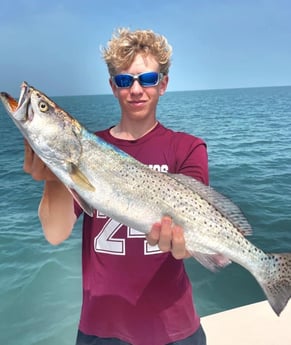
(20, 110)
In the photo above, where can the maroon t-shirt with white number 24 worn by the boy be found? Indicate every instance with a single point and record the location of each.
(132, 291)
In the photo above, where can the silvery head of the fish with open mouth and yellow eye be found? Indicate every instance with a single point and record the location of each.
(51, 132)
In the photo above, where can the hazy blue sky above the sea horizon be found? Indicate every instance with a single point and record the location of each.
(217, 44)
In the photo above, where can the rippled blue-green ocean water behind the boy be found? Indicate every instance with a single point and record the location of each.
(248, 133)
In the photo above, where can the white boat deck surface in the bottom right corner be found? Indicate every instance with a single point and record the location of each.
(254, 324)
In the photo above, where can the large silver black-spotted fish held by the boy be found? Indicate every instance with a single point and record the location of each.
(102, 177)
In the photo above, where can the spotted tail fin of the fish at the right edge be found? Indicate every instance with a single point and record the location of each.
(277, 282)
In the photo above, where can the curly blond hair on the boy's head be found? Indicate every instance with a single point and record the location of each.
(125, 45)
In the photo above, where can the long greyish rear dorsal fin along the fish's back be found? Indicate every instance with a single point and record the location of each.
(223, 204)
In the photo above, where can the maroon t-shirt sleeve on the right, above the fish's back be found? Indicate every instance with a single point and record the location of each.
(192, 158)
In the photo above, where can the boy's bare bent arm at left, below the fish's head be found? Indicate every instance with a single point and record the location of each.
(56, 212)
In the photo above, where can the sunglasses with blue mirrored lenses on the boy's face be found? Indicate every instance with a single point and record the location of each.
(146, 79)
